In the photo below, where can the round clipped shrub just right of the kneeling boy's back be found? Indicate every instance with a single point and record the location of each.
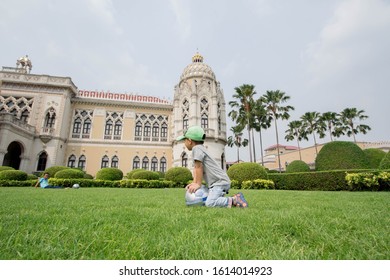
(245, 171)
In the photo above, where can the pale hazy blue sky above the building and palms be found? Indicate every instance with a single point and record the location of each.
(326, 55)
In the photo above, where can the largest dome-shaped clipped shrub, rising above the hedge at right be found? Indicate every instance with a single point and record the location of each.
(339, 155)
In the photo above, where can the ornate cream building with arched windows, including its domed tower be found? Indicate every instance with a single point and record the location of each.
(46, 121)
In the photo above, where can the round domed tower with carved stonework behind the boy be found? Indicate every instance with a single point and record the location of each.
(199, 100)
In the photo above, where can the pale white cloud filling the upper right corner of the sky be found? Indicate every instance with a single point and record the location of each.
(355, 37)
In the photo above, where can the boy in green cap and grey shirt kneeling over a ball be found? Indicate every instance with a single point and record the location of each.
(207, 169)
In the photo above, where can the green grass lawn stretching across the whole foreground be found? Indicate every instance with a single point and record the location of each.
(146, 224)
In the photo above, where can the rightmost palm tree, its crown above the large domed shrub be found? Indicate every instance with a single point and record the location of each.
(348, 116)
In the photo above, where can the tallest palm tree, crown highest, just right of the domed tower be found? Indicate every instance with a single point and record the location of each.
(242, 116)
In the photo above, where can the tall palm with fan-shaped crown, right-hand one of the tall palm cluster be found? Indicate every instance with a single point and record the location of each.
(272, 101)
